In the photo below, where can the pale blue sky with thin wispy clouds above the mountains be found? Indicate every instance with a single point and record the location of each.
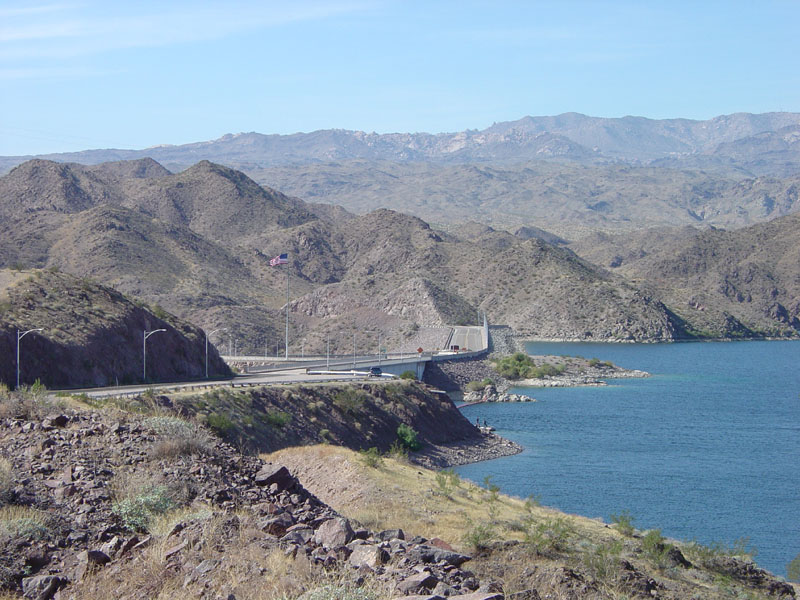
(78, 75)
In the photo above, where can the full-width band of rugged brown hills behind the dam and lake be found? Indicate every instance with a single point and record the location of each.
(198, 243)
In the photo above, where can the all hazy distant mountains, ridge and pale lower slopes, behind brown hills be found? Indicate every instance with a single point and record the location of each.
(569, 174)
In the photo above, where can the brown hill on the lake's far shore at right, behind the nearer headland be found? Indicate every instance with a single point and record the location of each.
(722, 283)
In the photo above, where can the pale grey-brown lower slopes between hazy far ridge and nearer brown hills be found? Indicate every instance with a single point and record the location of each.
(568, 199)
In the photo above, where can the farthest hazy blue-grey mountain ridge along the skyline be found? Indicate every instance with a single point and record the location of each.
(737, 142)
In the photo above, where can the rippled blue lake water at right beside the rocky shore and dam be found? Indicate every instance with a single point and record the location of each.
(708, 448)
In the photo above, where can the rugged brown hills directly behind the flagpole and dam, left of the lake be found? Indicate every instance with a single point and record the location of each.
(148, 234)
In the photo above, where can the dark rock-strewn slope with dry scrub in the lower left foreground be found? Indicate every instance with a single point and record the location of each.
(101, 505)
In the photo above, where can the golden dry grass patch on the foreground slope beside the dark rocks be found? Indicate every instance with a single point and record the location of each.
(398, 494)
